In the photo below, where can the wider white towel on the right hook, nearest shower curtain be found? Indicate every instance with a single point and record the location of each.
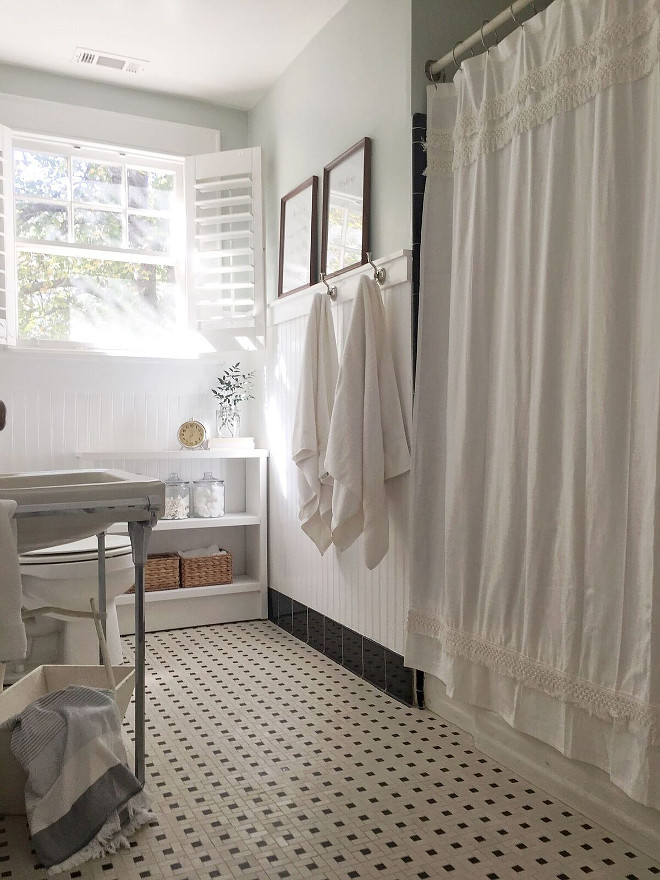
(367, 444)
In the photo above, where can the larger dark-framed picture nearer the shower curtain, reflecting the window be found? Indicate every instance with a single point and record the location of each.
(346, 203)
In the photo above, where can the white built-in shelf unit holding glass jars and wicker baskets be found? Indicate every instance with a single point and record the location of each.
(242, 531)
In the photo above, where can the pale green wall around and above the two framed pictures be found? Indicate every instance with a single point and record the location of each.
(351, 80)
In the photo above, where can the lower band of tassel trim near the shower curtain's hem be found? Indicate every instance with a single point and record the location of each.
(609, 705)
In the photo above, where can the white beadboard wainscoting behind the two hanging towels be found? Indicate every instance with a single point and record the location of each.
(337, 584)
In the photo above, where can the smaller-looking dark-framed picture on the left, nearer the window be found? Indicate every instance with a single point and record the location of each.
(298, 238)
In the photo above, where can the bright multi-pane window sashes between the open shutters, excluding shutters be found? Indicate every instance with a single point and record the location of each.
(100, 245)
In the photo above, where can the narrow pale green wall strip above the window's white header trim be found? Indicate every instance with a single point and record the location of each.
(30, 83)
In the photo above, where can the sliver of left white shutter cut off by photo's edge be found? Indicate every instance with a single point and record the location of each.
(7, 258)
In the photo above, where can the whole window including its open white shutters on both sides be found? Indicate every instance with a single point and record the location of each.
(123, 251)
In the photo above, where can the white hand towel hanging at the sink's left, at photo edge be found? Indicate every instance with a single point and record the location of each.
(13, 644)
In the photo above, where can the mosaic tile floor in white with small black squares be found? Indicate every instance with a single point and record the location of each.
(268, 760)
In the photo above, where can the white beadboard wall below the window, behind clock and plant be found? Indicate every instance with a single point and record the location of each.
(63, 403)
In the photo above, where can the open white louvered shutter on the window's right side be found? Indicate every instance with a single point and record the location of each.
(225, 223)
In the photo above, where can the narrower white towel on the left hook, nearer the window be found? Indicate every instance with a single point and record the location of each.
(316, 393)
